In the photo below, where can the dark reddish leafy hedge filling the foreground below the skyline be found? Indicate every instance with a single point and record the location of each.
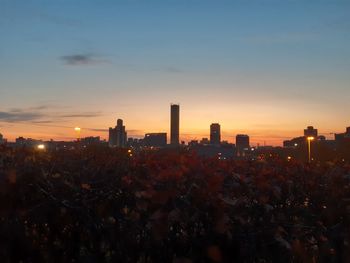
(103, 205)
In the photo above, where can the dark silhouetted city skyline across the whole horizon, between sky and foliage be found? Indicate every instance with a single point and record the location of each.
(295, 148)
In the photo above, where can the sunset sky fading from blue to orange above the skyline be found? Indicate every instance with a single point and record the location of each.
(267, 68)
